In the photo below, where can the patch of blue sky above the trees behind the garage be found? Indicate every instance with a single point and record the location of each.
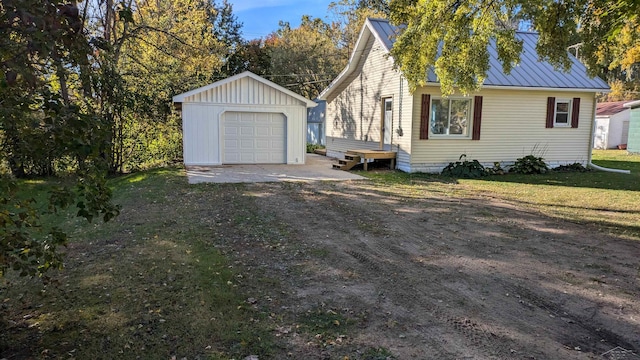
(260, 17)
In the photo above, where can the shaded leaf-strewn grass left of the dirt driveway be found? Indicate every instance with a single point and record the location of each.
(151, 284)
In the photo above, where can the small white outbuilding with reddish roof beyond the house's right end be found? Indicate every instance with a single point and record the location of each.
(612, 125)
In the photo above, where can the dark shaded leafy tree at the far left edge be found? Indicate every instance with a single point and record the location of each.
(46, 118)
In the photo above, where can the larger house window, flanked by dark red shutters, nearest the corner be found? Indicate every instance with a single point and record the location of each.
(450, 117)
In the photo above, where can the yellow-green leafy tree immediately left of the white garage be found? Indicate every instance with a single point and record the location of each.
(148, 54)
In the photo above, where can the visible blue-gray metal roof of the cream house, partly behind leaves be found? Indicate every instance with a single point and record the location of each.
(531, 72)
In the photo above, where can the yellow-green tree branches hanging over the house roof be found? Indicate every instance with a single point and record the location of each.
(452, 36)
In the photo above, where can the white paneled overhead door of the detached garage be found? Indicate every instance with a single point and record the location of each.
(254, 138)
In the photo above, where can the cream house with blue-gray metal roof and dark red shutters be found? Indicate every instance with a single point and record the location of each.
(534, 110)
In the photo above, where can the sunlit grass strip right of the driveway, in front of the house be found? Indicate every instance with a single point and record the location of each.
(609, 201)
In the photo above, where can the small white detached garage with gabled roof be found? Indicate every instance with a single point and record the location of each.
(244, 119)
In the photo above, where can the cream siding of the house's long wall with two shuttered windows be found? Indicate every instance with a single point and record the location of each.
(513, 126)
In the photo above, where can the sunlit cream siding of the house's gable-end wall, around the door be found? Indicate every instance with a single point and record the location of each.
(354, 116)
